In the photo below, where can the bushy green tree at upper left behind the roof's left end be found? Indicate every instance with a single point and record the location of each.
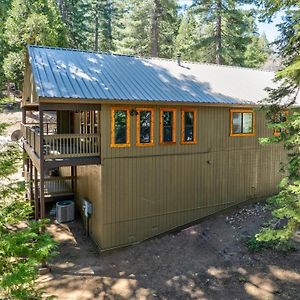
(30, 22)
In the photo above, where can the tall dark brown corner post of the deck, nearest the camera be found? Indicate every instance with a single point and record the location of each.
(42, 163)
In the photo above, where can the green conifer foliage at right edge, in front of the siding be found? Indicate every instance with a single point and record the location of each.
(287, 202)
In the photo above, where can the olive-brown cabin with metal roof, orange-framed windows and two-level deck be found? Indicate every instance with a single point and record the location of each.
(151, 144)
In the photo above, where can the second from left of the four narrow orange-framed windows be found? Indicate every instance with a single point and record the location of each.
(144, 127)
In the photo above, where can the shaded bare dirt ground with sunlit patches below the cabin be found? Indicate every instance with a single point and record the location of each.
(205, 261)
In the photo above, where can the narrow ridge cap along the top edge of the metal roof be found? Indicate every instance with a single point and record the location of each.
(151, 58)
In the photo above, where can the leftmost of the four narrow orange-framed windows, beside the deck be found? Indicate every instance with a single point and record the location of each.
(120, 127)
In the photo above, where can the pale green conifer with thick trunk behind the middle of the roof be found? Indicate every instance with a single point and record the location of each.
(148, 28)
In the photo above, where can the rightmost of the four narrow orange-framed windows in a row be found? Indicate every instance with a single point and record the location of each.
(188, 126)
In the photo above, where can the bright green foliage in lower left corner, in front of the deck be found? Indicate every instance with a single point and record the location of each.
(24, 245)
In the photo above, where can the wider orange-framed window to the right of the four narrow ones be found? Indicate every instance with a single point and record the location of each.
(242, 122)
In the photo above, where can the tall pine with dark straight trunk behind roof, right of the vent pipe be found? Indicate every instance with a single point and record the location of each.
(225, 35)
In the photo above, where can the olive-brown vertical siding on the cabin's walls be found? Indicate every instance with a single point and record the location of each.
(139, 192)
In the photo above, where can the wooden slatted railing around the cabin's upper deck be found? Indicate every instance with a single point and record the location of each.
(61, 145)
